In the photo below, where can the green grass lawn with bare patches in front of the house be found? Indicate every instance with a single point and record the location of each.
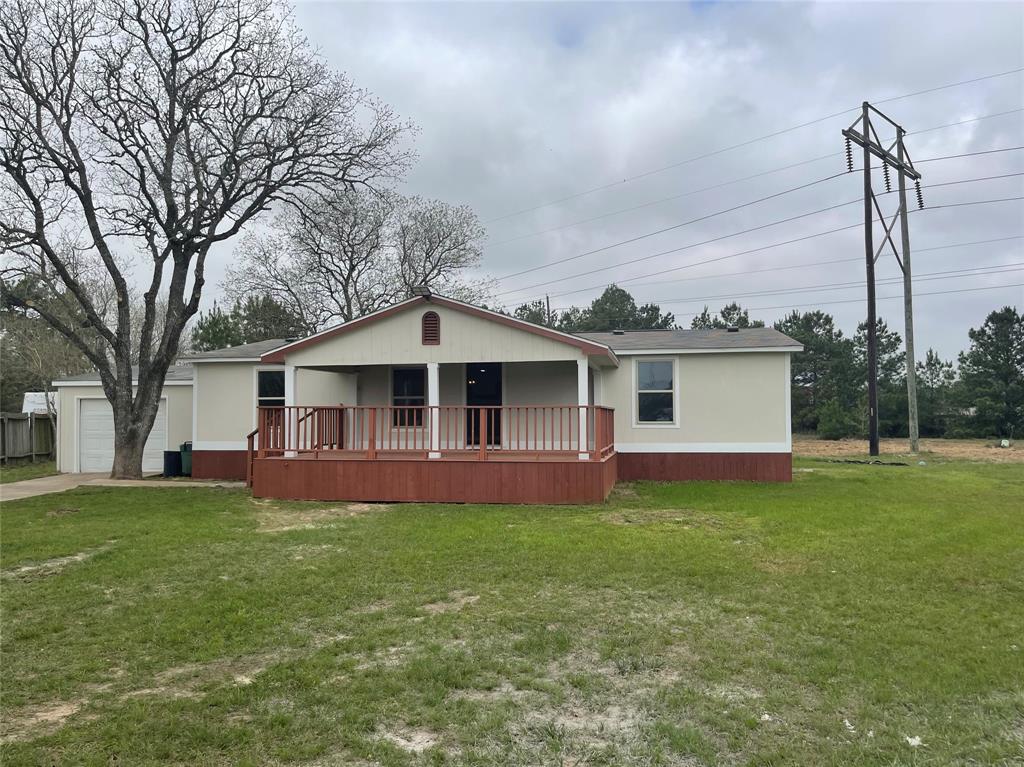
(822, 623)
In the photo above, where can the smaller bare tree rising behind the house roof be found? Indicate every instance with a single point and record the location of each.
(357, 251)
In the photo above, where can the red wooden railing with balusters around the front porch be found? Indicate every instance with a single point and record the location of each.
(446, 430)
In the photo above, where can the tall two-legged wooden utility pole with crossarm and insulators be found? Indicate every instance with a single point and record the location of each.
(868, 139)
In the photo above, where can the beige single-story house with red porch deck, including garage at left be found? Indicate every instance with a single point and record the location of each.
(436, 400)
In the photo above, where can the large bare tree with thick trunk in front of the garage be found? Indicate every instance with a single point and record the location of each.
(144, 133)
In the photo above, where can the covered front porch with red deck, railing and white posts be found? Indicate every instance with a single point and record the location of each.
(476, 433)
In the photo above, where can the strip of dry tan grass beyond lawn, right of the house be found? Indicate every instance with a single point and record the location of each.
(950, 450)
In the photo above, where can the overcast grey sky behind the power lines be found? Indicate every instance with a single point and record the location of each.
(521, 105)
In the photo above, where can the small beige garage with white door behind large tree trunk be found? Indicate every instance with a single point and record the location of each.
(86, 423)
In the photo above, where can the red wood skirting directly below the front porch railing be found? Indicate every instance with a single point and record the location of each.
(450, 481)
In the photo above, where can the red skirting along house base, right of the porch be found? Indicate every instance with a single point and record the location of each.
(760, 467)
